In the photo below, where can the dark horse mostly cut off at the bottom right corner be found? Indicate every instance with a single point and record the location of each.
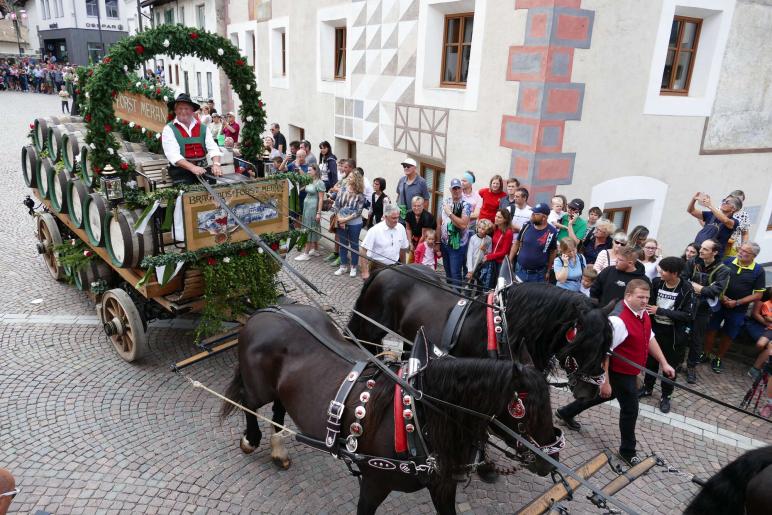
(742, 487)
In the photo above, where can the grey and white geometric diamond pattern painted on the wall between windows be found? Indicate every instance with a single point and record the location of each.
(381, 58)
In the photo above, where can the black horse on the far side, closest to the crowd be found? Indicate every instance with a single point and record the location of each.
(550, 321)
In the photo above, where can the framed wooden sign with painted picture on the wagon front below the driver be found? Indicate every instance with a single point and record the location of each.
(260, 205)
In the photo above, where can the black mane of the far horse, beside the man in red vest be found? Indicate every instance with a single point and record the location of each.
(540, 315)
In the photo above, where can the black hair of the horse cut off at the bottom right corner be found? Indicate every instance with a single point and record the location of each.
(724, 493)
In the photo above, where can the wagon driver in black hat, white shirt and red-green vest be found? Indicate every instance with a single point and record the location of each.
(187, 142)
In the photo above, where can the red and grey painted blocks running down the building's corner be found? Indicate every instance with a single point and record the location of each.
(547, 98)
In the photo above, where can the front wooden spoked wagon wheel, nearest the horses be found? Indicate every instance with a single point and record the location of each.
(123, 325)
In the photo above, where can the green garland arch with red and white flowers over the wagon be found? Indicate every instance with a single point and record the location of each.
(112, 75)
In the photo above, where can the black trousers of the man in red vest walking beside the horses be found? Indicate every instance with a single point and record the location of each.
(624, 388)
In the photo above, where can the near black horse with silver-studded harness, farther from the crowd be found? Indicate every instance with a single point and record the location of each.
(280, 361)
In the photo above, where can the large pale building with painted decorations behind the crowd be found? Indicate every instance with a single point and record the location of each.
(632, 106)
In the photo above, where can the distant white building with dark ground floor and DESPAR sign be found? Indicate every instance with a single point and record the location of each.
(76, 31)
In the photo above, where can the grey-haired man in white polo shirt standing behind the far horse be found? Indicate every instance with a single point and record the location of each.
(385, 243)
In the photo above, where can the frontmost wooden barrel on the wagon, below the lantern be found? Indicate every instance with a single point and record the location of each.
(125, 247)
